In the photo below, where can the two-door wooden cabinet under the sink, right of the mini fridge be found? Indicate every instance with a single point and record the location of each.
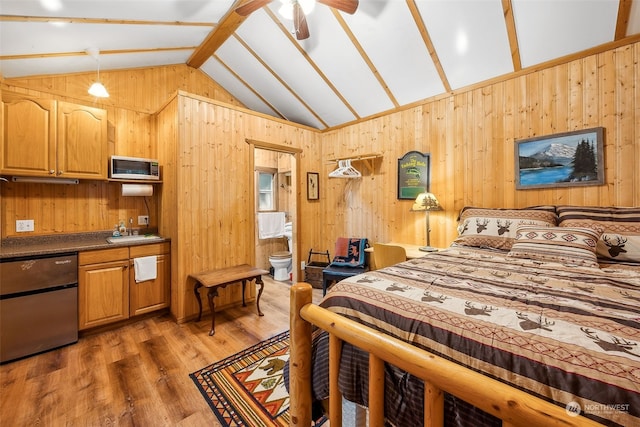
(107, 287)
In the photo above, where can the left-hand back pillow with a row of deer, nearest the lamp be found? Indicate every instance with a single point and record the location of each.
(496, 228)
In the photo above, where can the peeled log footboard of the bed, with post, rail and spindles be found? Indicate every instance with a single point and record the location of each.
(514, 407)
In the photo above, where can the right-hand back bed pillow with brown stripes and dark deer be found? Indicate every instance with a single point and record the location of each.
(621, 238)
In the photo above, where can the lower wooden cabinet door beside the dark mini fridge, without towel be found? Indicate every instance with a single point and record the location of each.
(103, 293)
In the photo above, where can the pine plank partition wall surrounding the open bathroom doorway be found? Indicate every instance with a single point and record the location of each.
(207, 203)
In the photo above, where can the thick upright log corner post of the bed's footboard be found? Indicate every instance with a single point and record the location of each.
(300, 357)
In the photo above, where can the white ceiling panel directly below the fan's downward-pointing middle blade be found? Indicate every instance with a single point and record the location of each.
(343, 65)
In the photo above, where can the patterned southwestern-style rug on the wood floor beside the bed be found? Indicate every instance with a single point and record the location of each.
(247, 389)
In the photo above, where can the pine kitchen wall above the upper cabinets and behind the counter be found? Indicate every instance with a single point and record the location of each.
(96, 206)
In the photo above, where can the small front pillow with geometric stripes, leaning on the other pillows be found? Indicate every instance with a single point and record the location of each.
(566, 245)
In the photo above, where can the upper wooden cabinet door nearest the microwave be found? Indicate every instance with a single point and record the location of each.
(82, 142)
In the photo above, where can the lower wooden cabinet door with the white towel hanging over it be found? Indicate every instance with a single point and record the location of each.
(151, 295)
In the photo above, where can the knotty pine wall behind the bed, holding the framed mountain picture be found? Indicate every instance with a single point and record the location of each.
(470, 137)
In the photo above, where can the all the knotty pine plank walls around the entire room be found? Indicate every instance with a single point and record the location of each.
(470, 136)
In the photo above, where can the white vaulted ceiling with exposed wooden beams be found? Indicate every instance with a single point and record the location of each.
(389, 54)
